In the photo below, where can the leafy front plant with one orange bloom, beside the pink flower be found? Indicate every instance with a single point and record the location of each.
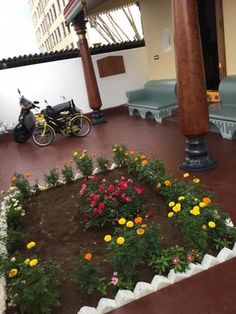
(86, 274)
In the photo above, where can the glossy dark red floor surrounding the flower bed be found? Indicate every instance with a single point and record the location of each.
(212, 291)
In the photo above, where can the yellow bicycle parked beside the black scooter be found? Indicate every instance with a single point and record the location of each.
(64, 118)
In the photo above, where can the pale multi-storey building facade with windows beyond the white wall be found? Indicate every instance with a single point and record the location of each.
(51, 32)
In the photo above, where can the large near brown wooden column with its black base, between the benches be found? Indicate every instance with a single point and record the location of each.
(191, 88)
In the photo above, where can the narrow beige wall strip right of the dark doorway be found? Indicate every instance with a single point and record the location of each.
(229, 12)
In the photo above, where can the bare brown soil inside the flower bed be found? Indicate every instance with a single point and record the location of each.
(52, 221)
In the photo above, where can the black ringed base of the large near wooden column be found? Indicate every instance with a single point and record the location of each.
(197, 158)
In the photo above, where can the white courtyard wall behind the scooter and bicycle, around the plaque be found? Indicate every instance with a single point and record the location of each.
(52, 80)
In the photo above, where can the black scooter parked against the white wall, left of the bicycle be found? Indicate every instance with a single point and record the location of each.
(24, 129)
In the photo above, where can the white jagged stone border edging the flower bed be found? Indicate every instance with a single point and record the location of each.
(141, 289)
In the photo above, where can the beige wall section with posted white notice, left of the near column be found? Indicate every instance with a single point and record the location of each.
(156, 16)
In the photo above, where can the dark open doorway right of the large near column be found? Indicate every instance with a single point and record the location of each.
(209, 31)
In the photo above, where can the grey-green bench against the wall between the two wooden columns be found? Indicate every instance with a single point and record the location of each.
(156, 100)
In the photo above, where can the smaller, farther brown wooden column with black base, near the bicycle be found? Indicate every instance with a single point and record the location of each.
(94, 98)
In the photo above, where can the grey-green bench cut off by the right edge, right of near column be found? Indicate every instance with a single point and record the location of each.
(222, 116)
